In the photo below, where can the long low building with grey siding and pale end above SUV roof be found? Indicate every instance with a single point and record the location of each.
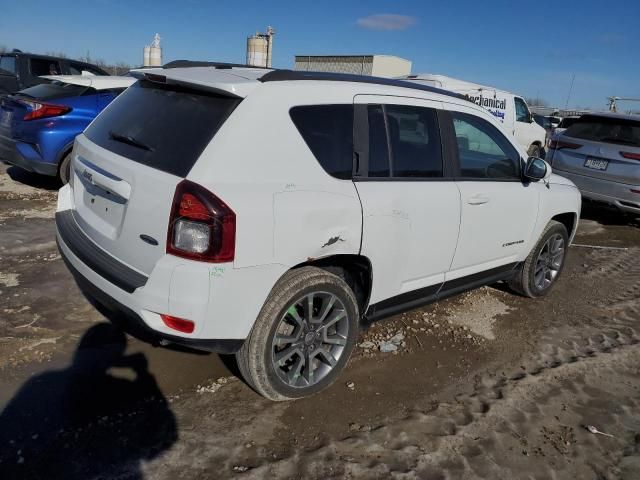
(376, 65)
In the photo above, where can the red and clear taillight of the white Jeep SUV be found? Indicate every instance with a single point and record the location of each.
(201, 226)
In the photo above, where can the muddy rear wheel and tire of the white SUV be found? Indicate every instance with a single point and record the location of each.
(266, 360)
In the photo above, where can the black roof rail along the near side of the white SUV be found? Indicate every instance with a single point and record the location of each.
(284, 75)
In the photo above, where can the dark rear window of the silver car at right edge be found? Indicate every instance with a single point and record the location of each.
(620, 131)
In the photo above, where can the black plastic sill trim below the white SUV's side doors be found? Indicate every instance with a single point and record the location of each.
(423, 296)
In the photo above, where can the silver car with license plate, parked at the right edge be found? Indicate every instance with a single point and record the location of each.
(600, 153)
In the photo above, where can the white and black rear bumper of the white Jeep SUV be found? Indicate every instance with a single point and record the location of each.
(221, 300)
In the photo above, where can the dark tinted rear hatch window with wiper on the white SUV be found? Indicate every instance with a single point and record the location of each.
(165, 127)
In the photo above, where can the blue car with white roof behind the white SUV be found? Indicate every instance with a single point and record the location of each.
(39, 124)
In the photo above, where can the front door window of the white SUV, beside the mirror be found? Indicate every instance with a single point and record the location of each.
(484, 152)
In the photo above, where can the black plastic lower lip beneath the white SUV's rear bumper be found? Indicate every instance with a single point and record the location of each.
(131, 322)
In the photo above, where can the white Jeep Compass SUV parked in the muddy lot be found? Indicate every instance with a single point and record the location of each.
(268, 213)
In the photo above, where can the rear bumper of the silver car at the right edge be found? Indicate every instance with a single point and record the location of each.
(606, 191)
